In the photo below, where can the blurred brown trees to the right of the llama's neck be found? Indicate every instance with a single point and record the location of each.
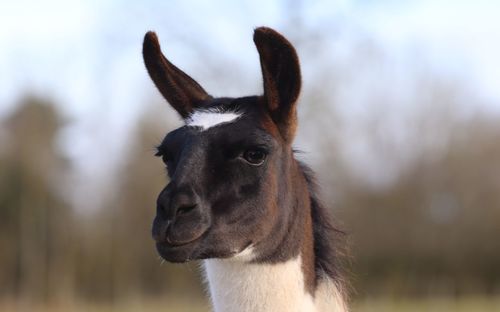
(431, 232)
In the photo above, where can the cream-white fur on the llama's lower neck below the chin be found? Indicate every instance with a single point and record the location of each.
(241, 286)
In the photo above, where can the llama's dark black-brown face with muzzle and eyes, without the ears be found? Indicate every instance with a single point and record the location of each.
(219, 199)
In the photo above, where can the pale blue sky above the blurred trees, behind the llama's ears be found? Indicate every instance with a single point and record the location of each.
(86, 55)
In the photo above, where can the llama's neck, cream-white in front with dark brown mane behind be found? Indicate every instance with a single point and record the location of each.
(285, 277)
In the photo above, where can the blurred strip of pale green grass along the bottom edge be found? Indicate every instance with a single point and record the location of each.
(471, 304)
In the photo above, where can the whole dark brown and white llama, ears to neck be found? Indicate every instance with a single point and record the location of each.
(238, 199)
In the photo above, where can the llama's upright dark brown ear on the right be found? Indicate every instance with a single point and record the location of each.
(281, 75)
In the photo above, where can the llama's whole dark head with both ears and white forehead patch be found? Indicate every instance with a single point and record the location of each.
(230, 164)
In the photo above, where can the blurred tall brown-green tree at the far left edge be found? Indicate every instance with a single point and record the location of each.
(34, 220)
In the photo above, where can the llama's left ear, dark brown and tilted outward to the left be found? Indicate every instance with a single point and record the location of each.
(181, 91)
